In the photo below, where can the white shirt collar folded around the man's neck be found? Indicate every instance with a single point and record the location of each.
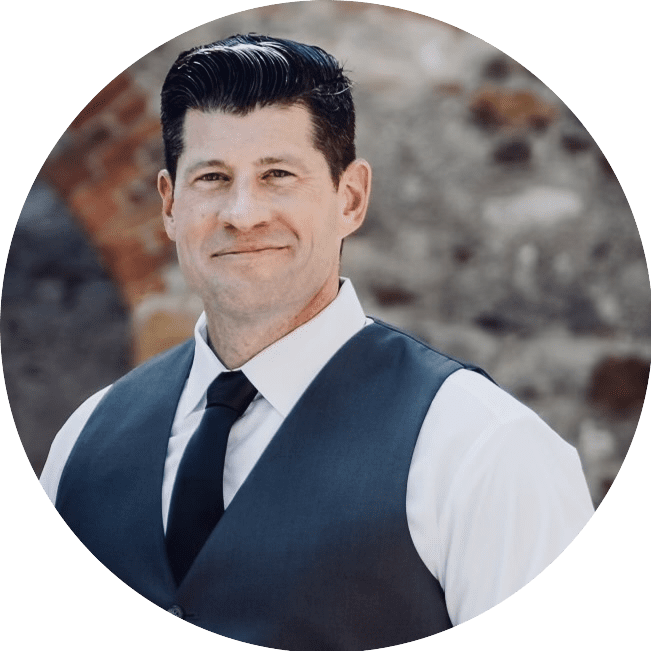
(282, 371)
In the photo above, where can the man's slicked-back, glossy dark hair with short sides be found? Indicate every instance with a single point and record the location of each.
(245, 72)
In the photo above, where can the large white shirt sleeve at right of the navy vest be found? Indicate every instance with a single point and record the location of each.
(494, 495)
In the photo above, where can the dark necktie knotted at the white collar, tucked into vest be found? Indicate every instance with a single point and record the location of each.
(198, 499)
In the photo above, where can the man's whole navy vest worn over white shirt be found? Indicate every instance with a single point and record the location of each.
(314, 551)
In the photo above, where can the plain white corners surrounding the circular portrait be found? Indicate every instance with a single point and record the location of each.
(55, 591)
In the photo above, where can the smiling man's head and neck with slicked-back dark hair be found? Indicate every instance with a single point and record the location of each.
(262, 185)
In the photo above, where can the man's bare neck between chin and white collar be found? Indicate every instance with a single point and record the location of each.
(236, 338)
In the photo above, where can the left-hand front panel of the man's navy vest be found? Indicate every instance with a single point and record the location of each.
(126, 472)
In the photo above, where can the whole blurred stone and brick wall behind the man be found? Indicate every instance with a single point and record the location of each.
(497, 231)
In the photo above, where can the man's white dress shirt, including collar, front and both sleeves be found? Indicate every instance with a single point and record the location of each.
(493, 495)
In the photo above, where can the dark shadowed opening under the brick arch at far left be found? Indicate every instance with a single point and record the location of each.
(65, 328)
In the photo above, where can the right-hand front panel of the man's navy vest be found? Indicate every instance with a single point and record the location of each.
(314, 549)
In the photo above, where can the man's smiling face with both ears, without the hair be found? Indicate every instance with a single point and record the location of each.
(254, 212)
